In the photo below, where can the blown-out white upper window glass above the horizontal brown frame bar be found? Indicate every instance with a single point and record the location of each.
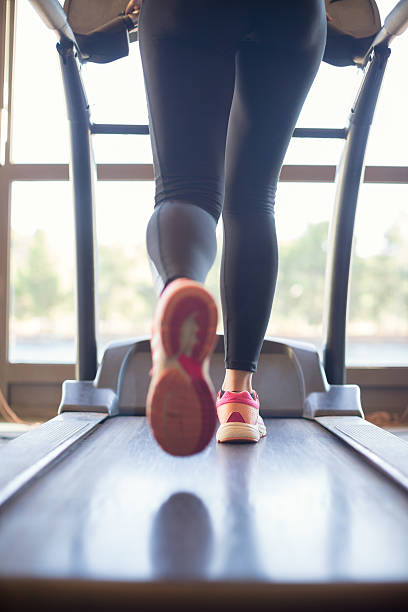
(39, 118)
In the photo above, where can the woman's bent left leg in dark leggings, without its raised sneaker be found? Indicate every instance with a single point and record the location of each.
(188, 54)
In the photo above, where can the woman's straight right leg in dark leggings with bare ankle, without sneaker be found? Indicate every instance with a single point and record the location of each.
(274, 72)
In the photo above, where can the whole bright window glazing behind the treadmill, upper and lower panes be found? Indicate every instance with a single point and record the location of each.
(42, 320)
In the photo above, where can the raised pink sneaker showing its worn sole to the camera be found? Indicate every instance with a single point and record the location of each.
(181, 399)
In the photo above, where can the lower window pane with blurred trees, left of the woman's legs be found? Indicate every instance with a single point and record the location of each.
(42, 317)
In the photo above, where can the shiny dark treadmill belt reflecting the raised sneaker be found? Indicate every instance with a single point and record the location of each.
(297, 507)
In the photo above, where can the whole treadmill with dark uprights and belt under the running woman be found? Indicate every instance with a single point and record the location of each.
(95, 516)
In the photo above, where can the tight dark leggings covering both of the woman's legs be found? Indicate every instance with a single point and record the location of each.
(225, 82)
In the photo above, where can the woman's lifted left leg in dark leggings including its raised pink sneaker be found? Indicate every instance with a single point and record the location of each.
(188, 53)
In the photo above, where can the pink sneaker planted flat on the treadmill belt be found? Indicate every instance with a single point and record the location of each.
(239, 416)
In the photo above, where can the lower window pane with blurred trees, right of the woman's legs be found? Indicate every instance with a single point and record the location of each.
(377, 332)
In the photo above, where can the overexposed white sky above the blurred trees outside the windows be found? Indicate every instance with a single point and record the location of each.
(40, 135)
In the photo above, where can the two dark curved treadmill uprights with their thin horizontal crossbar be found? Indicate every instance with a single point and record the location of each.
(349, 177)
